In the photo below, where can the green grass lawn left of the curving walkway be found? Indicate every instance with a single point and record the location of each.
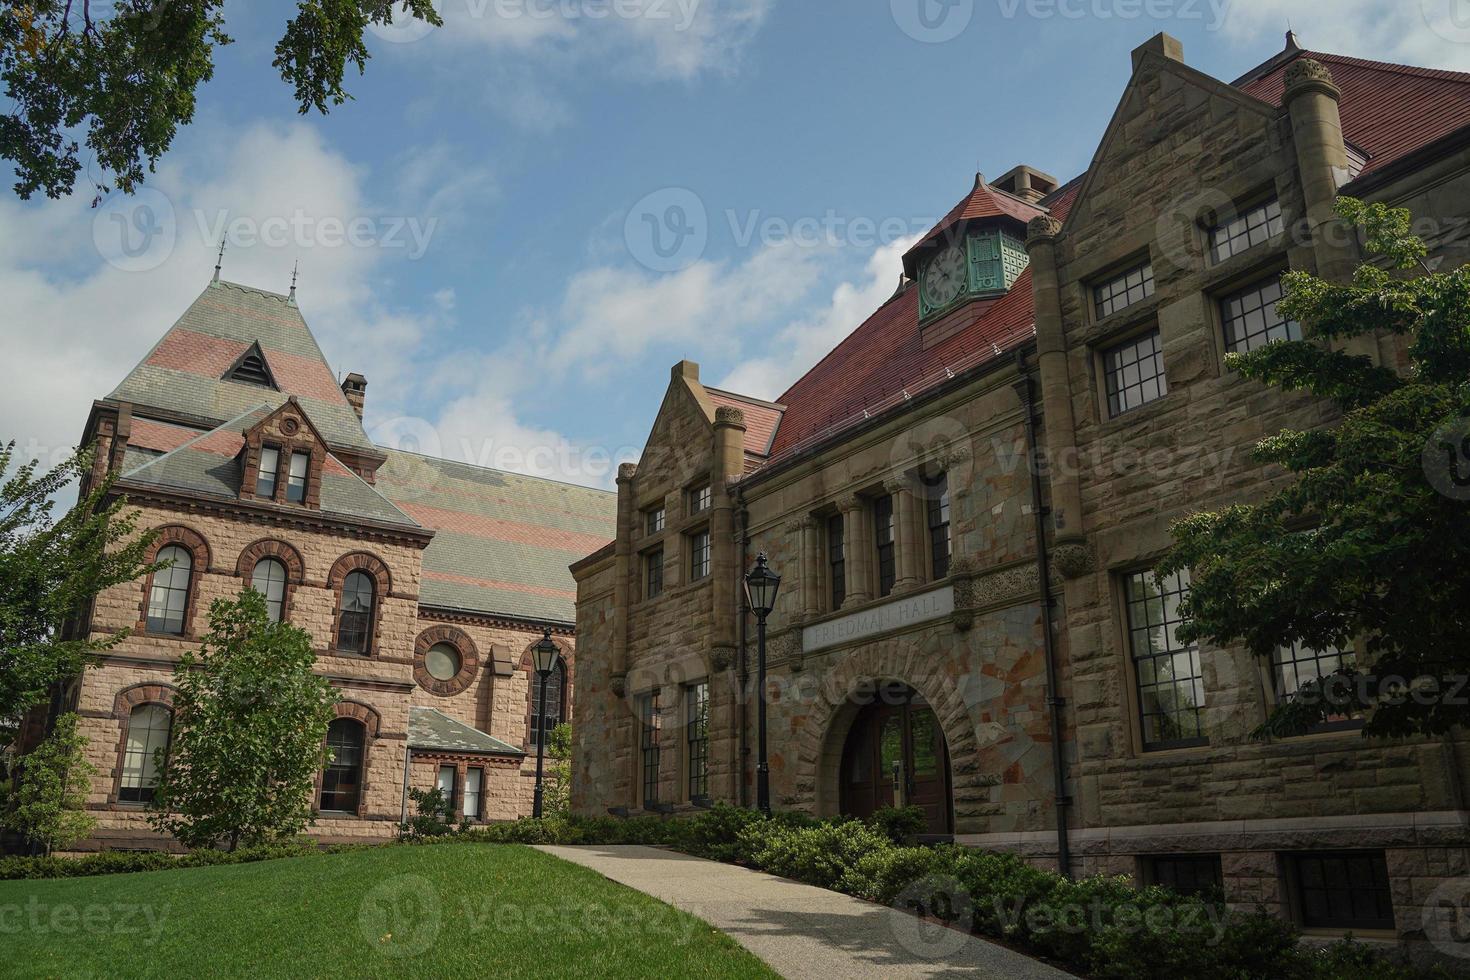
(455, 910)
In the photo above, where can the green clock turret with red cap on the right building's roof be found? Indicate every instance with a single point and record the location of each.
(975, 253)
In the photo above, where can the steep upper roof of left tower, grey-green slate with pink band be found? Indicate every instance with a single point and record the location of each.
(184, 372)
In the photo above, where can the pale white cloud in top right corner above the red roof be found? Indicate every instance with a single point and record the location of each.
(1427, 33)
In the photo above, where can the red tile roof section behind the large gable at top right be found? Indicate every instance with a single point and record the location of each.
(1388, 111)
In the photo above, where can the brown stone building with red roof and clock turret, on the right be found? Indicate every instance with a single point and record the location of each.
(912, 657)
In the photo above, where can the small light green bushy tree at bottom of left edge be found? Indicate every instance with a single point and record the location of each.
(49, 807)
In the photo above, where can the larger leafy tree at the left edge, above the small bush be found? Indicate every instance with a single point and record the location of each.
(52, 569)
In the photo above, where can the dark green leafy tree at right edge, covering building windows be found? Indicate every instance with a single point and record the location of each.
(1369, 547)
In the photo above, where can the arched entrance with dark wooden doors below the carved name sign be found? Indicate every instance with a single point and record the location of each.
(896, 756)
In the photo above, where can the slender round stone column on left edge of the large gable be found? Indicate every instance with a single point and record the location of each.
(1056, 380)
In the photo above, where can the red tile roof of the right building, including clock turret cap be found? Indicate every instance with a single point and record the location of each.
(1388, 112)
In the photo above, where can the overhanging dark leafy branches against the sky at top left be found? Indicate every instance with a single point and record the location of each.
(127, 73)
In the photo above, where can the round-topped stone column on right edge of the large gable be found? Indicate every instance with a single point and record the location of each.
(1322, 161)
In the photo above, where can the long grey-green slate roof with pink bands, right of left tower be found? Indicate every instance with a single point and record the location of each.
(502, 541)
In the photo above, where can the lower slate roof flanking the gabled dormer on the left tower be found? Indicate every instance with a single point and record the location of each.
(209, 464)
